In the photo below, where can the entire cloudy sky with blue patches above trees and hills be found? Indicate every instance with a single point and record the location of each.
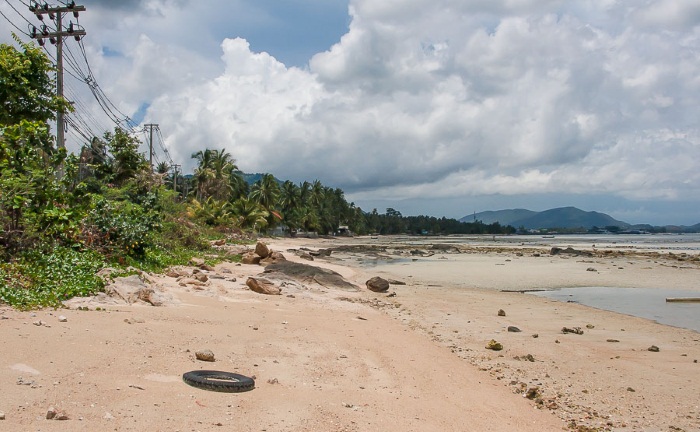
(435, 107)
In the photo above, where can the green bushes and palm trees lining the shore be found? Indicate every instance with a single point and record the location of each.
(64, 217)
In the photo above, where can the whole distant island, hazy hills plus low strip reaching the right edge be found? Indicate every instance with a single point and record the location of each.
(568, 219)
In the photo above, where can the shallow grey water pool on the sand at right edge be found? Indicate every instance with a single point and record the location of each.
(647, 303)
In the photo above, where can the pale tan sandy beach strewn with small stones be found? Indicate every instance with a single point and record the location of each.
(411, 359)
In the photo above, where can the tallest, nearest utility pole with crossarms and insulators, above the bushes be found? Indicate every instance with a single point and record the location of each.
(56, 36)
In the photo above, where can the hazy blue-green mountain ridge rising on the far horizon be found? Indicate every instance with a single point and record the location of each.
(564, 217)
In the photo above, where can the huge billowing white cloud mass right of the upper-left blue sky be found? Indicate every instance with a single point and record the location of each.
(422, 98)
